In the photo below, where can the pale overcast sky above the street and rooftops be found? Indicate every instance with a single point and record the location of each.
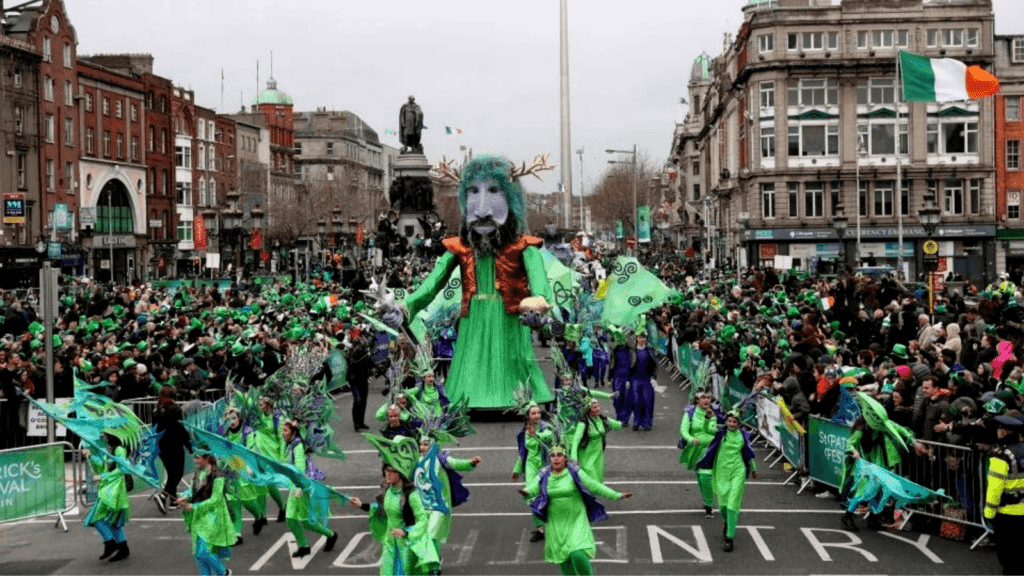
(490, 68)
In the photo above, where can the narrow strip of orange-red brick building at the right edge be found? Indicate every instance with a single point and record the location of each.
(1009, 136)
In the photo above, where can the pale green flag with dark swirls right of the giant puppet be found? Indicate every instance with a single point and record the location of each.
(632, 292)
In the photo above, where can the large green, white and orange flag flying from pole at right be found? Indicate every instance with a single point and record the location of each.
(944, 80)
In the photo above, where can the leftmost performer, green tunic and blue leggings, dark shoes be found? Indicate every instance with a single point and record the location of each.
(112, 512)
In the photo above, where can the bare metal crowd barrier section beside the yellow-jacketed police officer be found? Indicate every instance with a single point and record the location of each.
(960, 473)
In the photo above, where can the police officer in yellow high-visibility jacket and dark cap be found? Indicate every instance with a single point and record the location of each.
(1005, 499)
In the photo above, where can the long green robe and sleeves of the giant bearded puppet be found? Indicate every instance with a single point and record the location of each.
(493, 351)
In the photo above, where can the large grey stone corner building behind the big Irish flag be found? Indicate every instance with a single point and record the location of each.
(772, 141)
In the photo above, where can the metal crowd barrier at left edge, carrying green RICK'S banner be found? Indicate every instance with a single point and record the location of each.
(37, 484)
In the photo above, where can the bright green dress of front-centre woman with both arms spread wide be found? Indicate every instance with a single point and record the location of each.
(568, 530)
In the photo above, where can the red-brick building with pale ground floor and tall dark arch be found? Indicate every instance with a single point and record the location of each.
(113, 171)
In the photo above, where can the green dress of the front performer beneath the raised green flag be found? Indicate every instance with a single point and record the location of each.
(413, 554)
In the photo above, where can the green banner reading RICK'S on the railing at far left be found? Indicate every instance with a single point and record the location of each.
(32, 482)
